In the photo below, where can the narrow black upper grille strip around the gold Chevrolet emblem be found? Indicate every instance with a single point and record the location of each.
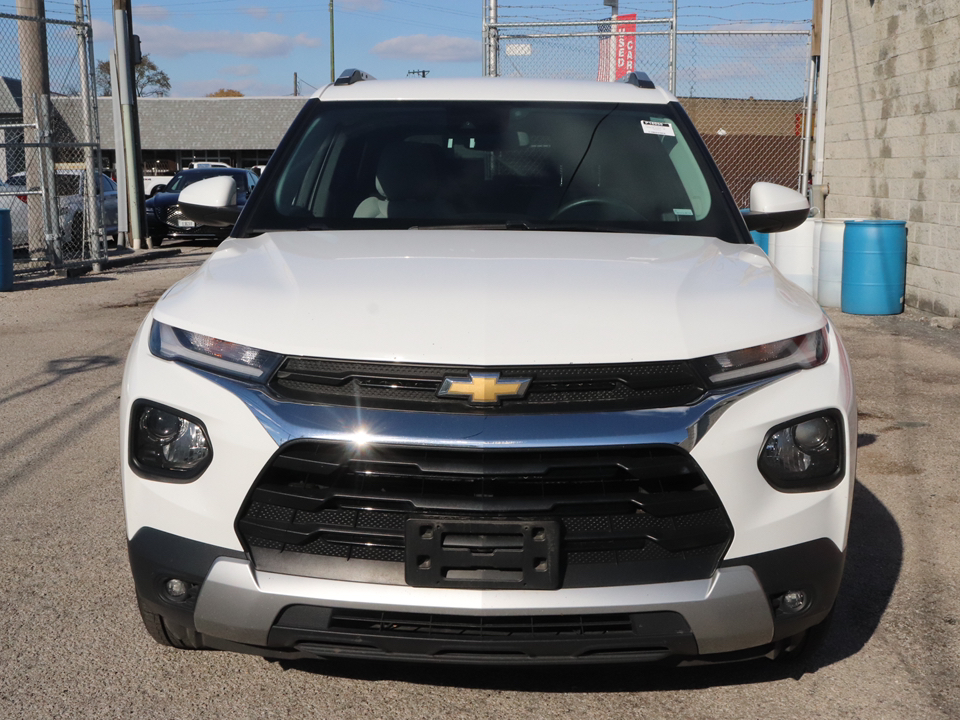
(560, 388)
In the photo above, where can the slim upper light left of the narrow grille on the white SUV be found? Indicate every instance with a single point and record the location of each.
(210, 353)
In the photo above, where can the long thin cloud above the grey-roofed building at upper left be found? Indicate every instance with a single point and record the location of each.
(168, 41)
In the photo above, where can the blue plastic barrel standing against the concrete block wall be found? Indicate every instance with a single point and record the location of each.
(874, 267)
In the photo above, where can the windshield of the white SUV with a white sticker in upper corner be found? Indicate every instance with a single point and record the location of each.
(616, 167)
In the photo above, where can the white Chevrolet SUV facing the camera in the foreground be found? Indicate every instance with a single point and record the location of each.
(488, 371)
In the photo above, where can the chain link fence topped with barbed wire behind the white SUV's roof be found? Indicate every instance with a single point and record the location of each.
(745, 90)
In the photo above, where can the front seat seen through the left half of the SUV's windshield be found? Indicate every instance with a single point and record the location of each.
(407, 183)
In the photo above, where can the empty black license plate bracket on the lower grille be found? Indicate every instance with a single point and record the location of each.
(487, 554)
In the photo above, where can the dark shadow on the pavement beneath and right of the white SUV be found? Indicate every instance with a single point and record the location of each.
(874, 559)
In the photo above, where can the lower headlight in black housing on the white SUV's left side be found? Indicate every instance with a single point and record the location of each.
(163, 442)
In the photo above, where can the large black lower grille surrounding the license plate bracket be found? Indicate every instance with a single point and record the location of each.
(626, 515)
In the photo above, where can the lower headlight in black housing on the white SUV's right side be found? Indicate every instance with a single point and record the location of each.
(805, 454)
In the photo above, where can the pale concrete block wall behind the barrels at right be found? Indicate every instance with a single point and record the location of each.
(893, 132)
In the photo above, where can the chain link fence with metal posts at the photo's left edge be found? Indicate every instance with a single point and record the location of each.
(50, 177)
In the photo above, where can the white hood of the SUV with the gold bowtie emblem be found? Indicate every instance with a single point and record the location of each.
(479, 297)
